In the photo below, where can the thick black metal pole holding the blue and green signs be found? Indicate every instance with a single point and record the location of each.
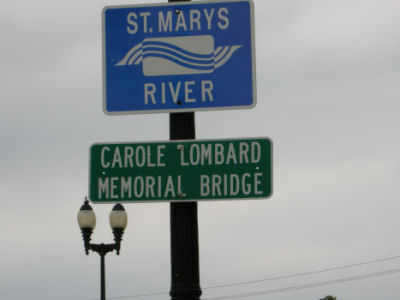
(185, 274)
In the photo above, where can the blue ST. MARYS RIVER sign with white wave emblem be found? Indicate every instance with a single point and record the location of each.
(181, 56)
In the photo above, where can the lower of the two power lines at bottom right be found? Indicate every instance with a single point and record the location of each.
(305, 286)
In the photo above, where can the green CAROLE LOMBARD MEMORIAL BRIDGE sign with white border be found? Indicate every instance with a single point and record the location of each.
(186, 170)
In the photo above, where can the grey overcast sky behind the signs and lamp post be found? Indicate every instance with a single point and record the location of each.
(328, 96)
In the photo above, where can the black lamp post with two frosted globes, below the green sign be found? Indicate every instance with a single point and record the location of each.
(87, 222)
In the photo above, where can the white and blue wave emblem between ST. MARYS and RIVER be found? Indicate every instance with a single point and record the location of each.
(178, 55)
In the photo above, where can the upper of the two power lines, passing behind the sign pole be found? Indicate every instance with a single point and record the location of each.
(270, 278)
